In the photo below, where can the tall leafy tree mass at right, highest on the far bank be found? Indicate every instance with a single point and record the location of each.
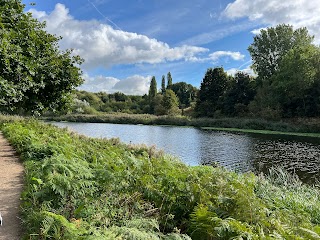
(287, 64)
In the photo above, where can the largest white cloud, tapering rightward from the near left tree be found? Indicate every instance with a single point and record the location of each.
(101, 45)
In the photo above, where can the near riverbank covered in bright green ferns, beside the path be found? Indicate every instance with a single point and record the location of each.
(84, 188)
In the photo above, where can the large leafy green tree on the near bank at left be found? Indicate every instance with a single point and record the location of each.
(35, 76)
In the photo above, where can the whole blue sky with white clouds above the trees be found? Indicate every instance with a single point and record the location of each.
(125, 42)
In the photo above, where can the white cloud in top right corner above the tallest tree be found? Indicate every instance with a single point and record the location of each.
(299, 13)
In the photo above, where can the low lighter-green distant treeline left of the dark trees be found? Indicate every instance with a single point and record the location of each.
(180, 96)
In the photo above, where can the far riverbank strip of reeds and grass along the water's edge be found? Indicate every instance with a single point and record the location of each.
(303, 127)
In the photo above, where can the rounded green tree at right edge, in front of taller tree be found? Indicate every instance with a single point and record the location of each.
(296, 79)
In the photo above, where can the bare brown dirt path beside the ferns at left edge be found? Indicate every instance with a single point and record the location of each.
(11, 183)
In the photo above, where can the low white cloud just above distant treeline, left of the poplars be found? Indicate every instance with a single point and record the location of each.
(133, 85)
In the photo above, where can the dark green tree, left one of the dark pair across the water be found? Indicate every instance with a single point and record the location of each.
(211, 93)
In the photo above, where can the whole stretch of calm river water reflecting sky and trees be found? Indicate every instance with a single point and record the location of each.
(236, 151)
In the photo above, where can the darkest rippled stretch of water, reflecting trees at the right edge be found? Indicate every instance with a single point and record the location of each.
(297, 155)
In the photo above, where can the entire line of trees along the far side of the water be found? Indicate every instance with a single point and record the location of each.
(286, 85)
